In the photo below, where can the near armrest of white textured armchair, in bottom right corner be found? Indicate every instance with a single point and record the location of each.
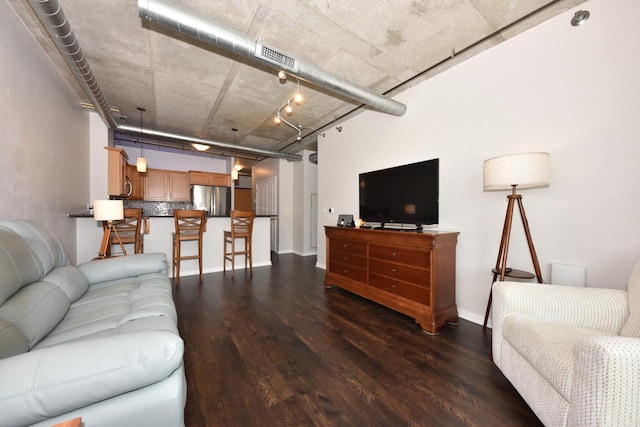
(606, 381)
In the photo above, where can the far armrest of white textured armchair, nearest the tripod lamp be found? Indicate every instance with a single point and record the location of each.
(593, 308)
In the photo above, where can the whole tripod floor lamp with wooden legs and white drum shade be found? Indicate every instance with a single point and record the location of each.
(515, 172)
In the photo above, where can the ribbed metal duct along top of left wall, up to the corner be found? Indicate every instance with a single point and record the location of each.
(54, 21)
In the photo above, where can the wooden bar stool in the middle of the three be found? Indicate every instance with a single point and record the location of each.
(189, 226)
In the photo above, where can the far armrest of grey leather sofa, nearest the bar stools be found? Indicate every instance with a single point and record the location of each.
(103, 270)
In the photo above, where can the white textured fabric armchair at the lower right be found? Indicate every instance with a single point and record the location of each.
(572, 353)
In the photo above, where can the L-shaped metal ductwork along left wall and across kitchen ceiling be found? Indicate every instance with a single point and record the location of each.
(53, 19)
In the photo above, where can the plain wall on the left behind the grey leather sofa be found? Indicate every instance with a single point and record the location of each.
(44, 133)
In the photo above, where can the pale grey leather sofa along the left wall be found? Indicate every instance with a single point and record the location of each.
(97, 341)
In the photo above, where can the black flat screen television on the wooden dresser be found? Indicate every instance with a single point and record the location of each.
(406, 194)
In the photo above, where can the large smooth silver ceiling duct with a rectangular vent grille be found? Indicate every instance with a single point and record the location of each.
(167, 14)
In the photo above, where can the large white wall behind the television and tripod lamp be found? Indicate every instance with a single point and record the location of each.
(571, 91)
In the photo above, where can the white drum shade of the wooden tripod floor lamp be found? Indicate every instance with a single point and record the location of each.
(526, 170)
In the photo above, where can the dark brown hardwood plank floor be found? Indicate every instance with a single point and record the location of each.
(277, 349)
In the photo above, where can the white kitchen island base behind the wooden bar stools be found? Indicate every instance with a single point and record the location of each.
(159, 237)
